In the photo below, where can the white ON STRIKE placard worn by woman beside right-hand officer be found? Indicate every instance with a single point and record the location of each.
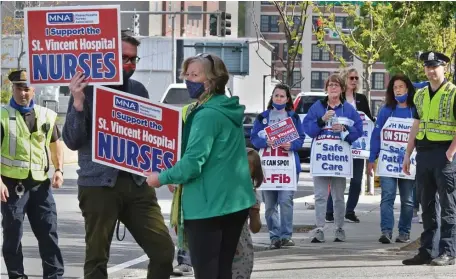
(393, 144)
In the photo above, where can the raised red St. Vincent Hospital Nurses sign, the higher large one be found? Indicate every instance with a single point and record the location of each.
(64, 40)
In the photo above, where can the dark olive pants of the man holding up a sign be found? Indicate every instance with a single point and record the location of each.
(137, 207)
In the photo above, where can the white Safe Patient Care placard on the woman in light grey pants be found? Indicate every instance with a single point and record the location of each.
(330, 156)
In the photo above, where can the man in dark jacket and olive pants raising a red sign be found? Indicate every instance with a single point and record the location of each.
(106, 193)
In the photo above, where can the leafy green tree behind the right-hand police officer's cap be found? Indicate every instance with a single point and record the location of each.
(432, 26)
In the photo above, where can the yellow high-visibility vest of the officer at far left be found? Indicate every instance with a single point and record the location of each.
(22, 151)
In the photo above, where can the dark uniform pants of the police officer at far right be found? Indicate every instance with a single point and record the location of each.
(435, 174)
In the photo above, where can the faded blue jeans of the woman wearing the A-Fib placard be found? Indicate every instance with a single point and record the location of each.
(279, 228)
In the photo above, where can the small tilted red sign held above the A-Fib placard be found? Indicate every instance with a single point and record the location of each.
(282, 132)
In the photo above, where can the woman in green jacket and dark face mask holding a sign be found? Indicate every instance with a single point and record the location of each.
(217, 189)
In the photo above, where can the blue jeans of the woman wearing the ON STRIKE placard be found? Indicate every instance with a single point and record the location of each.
(389, 186)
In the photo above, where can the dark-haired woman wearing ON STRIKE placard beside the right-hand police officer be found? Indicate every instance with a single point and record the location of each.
(388, 143)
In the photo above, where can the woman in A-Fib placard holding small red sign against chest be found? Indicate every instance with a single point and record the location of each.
(278, 133)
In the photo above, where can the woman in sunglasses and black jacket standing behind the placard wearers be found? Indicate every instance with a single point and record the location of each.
(359, 101)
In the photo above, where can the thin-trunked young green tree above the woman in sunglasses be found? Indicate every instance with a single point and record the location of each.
(375, 26)
